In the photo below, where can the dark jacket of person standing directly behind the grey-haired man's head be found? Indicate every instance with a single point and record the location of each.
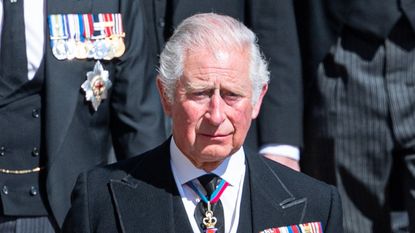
(274, 24)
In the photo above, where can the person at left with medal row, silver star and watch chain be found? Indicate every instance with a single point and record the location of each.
(72, 87)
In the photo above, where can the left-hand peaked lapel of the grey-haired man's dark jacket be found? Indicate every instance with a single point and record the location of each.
(150, 196)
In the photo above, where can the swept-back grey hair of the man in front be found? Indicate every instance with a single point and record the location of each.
(214, 32)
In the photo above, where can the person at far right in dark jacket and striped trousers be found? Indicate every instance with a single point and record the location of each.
(359, 115)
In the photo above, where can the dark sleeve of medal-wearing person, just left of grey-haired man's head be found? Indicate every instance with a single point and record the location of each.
(136, 121)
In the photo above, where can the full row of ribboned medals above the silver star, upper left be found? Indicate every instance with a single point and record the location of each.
(81, 36)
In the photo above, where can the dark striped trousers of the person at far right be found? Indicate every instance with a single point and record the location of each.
(361, 120)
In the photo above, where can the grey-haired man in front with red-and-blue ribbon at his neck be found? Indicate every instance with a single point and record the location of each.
(212, 81)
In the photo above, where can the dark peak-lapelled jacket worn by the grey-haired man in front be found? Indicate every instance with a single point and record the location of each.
(140, 195)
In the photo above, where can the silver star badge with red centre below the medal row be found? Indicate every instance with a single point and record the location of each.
(96, 86)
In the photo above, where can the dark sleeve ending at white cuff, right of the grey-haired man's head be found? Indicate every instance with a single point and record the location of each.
(280, 118)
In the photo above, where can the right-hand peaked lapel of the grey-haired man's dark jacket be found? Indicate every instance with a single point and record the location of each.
(272, 203)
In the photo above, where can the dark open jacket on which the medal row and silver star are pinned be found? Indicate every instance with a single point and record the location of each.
(78, 138)
